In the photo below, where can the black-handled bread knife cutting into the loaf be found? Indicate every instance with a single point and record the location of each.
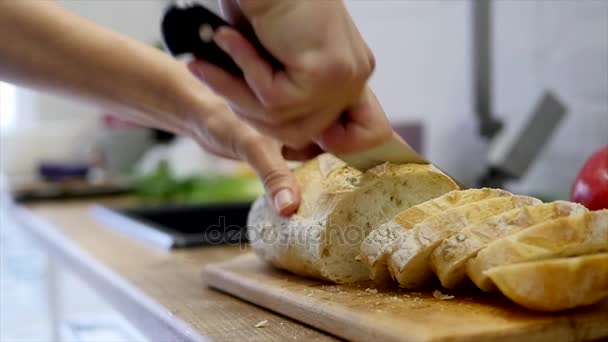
(189, 29)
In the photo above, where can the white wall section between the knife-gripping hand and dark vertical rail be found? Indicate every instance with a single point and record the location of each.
(423, 57)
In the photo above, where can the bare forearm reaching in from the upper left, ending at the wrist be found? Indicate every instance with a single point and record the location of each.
(47, 47)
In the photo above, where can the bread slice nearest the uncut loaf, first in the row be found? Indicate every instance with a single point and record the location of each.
(377, 247)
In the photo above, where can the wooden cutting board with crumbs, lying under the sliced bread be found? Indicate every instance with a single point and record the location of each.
(364, 313)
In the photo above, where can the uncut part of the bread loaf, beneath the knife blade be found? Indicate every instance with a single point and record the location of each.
(340, 206)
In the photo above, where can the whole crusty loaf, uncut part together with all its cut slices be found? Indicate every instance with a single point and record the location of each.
(547, 257)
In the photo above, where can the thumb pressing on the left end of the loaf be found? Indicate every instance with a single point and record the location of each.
(265, 156)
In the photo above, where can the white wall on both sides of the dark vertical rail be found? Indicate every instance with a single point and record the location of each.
(423, 51)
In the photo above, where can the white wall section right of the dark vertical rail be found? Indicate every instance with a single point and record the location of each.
(560, 45)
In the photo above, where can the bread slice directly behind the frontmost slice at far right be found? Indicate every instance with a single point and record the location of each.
(561, 237)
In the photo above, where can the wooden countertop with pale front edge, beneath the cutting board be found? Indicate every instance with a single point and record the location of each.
(162, 293)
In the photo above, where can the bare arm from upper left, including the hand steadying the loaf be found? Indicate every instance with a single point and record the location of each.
(47, 47)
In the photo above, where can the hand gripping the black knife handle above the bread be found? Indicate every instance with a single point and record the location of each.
(327, 65)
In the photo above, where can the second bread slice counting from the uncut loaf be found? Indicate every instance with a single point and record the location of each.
(409, 263)
